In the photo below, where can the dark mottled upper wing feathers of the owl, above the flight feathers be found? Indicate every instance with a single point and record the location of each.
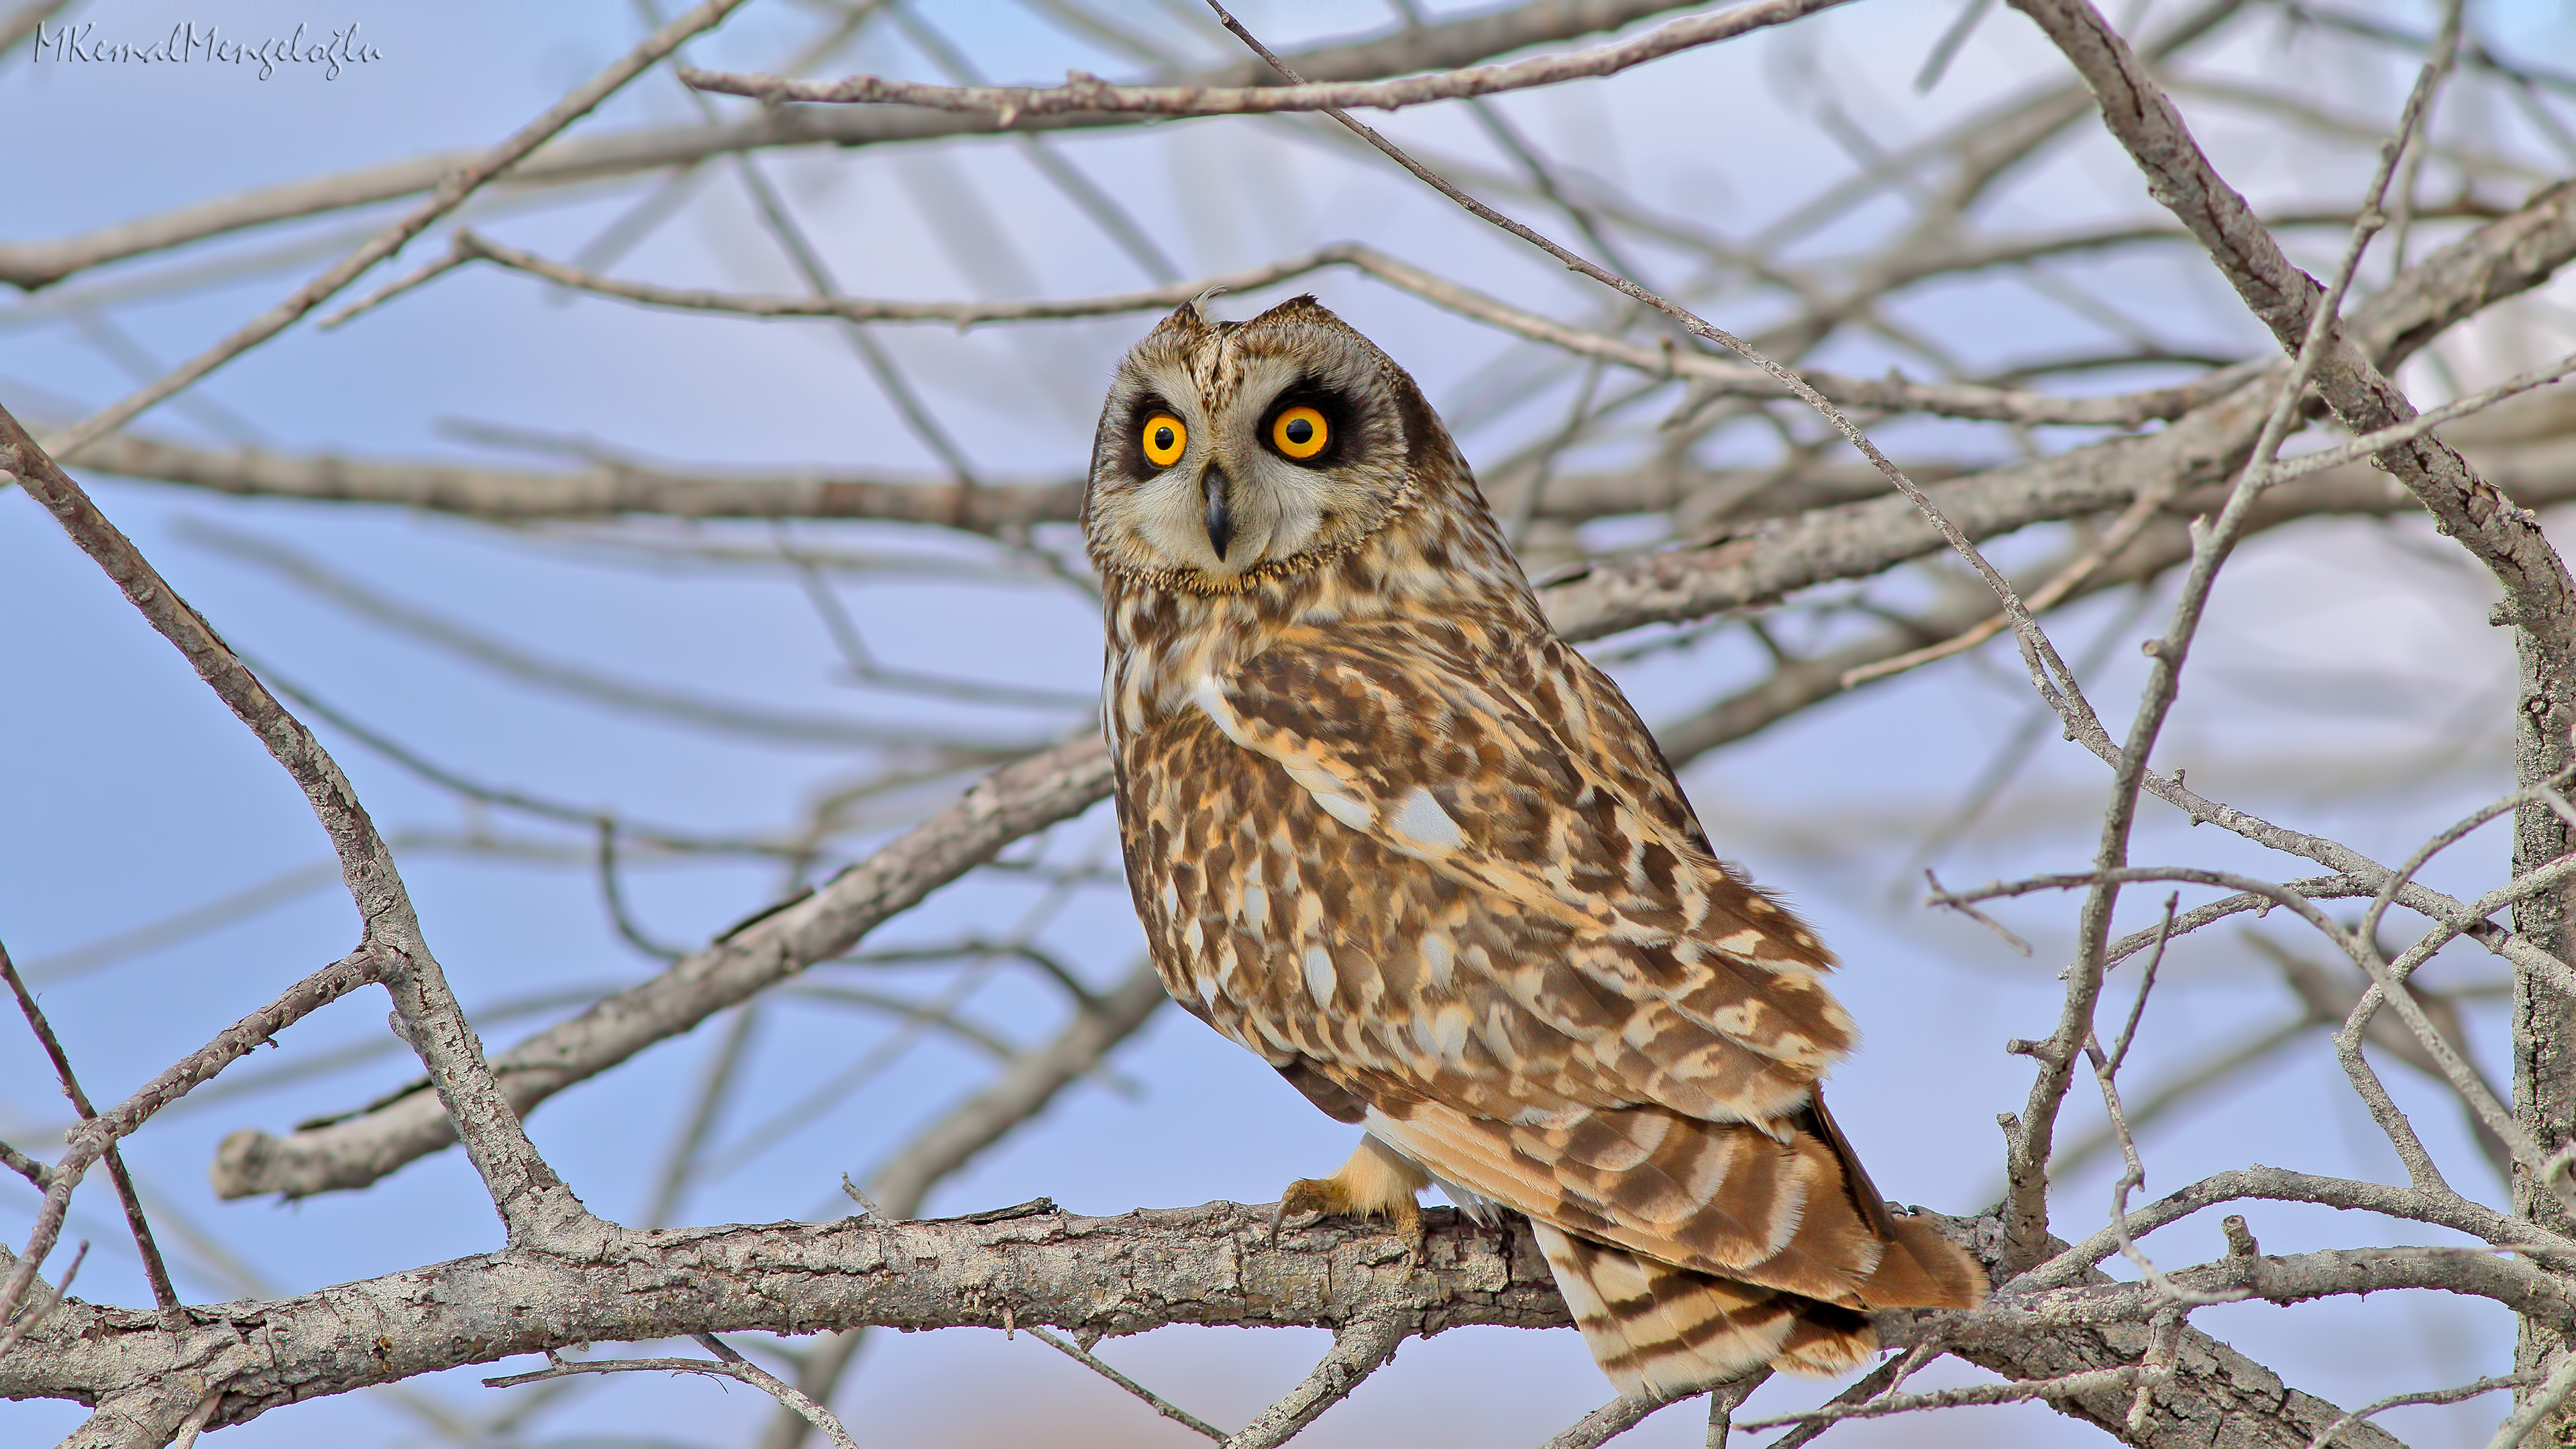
(1549, 883)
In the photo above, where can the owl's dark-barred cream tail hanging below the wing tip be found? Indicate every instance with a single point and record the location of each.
(1668, 1332)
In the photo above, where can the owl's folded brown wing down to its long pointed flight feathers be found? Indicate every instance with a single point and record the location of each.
(1524, 960)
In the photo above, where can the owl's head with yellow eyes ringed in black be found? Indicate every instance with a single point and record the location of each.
(1243, 450)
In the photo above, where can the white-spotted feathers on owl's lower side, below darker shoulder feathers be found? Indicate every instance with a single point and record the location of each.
(1310, 942)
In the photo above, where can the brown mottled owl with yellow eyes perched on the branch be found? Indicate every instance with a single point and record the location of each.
(1387, 831)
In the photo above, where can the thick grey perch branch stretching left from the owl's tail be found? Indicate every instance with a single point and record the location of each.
(1091, 1275)
